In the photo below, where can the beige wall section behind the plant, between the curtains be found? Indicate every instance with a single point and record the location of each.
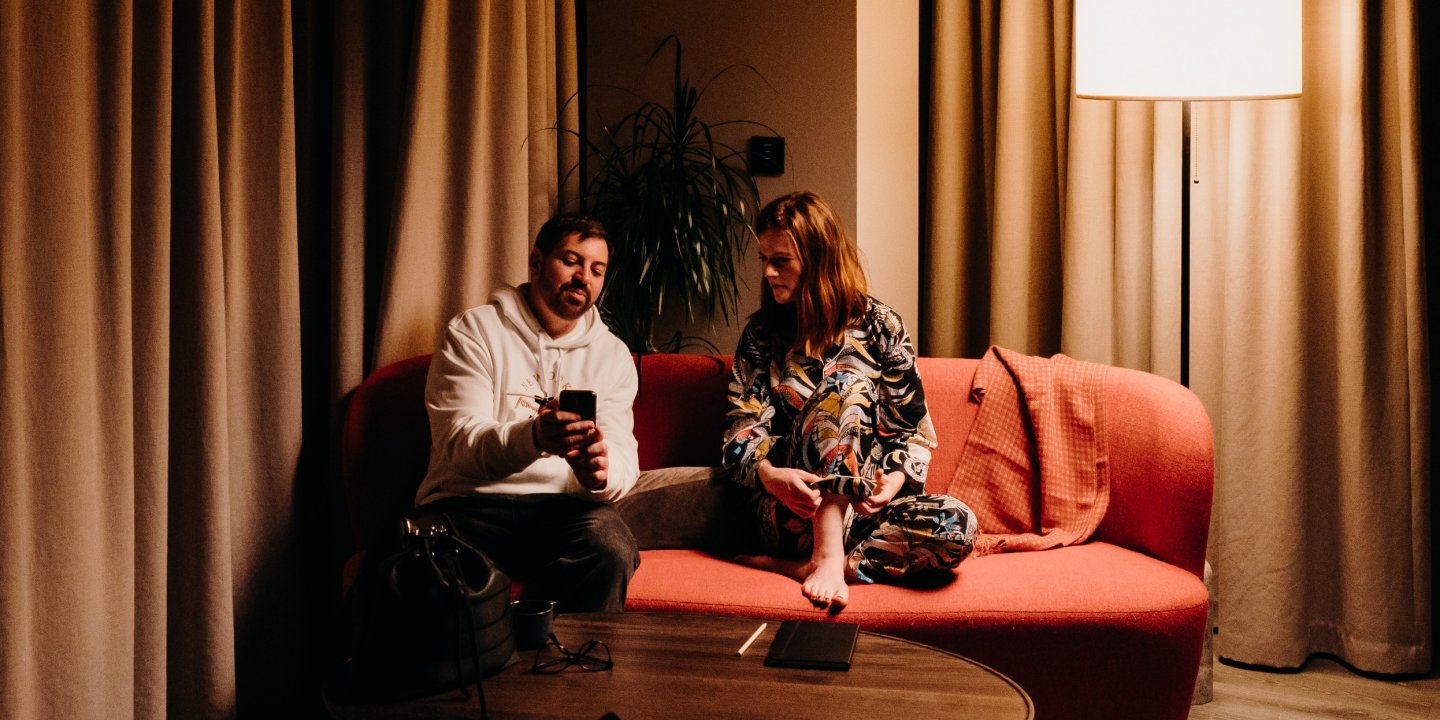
(807, 55)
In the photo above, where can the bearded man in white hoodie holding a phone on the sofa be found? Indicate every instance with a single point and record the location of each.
(529, 483)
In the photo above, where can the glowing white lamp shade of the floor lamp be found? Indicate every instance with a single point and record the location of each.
(1187, 50)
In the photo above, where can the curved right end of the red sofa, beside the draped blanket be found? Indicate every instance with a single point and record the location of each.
(1163, 469)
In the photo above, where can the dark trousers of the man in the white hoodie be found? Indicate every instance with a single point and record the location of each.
(562, 548)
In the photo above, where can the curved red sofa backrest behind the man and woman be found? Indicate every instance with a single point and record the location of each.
(1158, 436)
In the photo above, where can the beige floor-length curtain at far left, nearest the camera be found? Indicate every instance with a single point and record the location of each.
(150, 362)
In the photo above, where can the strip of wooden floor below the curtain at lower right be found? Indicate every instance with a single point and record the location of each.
(1324, 689)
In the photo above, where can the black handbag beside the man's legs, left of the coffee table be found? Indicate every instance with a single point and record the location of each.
(426, 617)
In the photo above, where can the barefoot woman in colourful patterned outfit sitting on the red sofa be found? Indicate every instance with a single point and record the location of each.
(829, 420)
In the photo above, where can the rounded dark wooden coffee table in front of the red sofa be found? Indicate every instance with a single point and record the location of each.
(686, 666)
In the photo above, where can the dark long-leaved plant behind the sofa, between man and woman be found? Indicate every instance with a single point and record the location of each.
(679, 207)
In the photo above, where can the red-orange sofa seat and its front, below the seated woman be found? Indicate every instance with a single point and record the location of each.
(1053, 621)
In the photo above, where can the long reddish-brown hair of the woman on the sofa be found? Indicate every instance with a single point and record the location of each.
(833, 290)
